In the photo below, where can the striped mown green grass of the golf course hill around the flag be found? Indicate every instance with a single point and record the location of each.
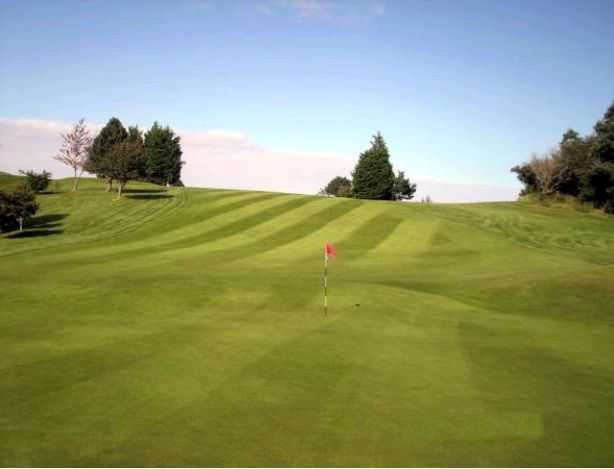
(185, 327)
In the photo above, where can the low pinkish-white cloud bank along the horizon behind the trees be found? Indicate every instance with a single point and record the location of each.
(223, 159)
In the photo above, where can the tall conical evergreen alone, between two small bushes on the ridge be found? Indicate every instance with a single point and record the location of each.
(373, 177)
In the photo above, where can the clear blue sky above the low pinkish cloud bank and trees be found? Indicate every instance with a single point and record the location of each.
(460, 90)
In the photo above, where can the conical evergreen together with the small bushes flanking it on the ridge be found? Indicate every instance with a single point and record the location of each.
(373, 177)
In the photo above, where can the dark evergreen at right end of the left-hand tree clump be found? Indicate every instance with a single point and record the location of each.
(163, 155)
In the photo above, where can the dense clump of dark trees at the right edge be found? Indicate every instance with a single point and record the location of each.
(579, 166)
